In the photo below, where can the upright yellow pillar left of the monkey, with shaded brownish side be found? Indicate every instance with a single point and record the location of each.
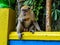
(6, 24)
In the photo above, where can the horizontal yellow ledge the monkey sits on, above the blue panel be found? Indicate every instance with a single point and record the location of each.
(37, 36)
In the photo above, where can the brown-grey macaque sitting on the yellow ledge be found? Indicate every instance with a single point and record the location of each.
(26, 21)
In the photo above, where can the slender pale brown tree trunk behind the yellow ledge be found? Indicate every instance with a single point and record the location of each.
(48, 15)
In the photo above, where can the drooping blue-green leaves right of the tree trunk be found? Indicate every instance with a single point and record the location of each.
(55, 10)
